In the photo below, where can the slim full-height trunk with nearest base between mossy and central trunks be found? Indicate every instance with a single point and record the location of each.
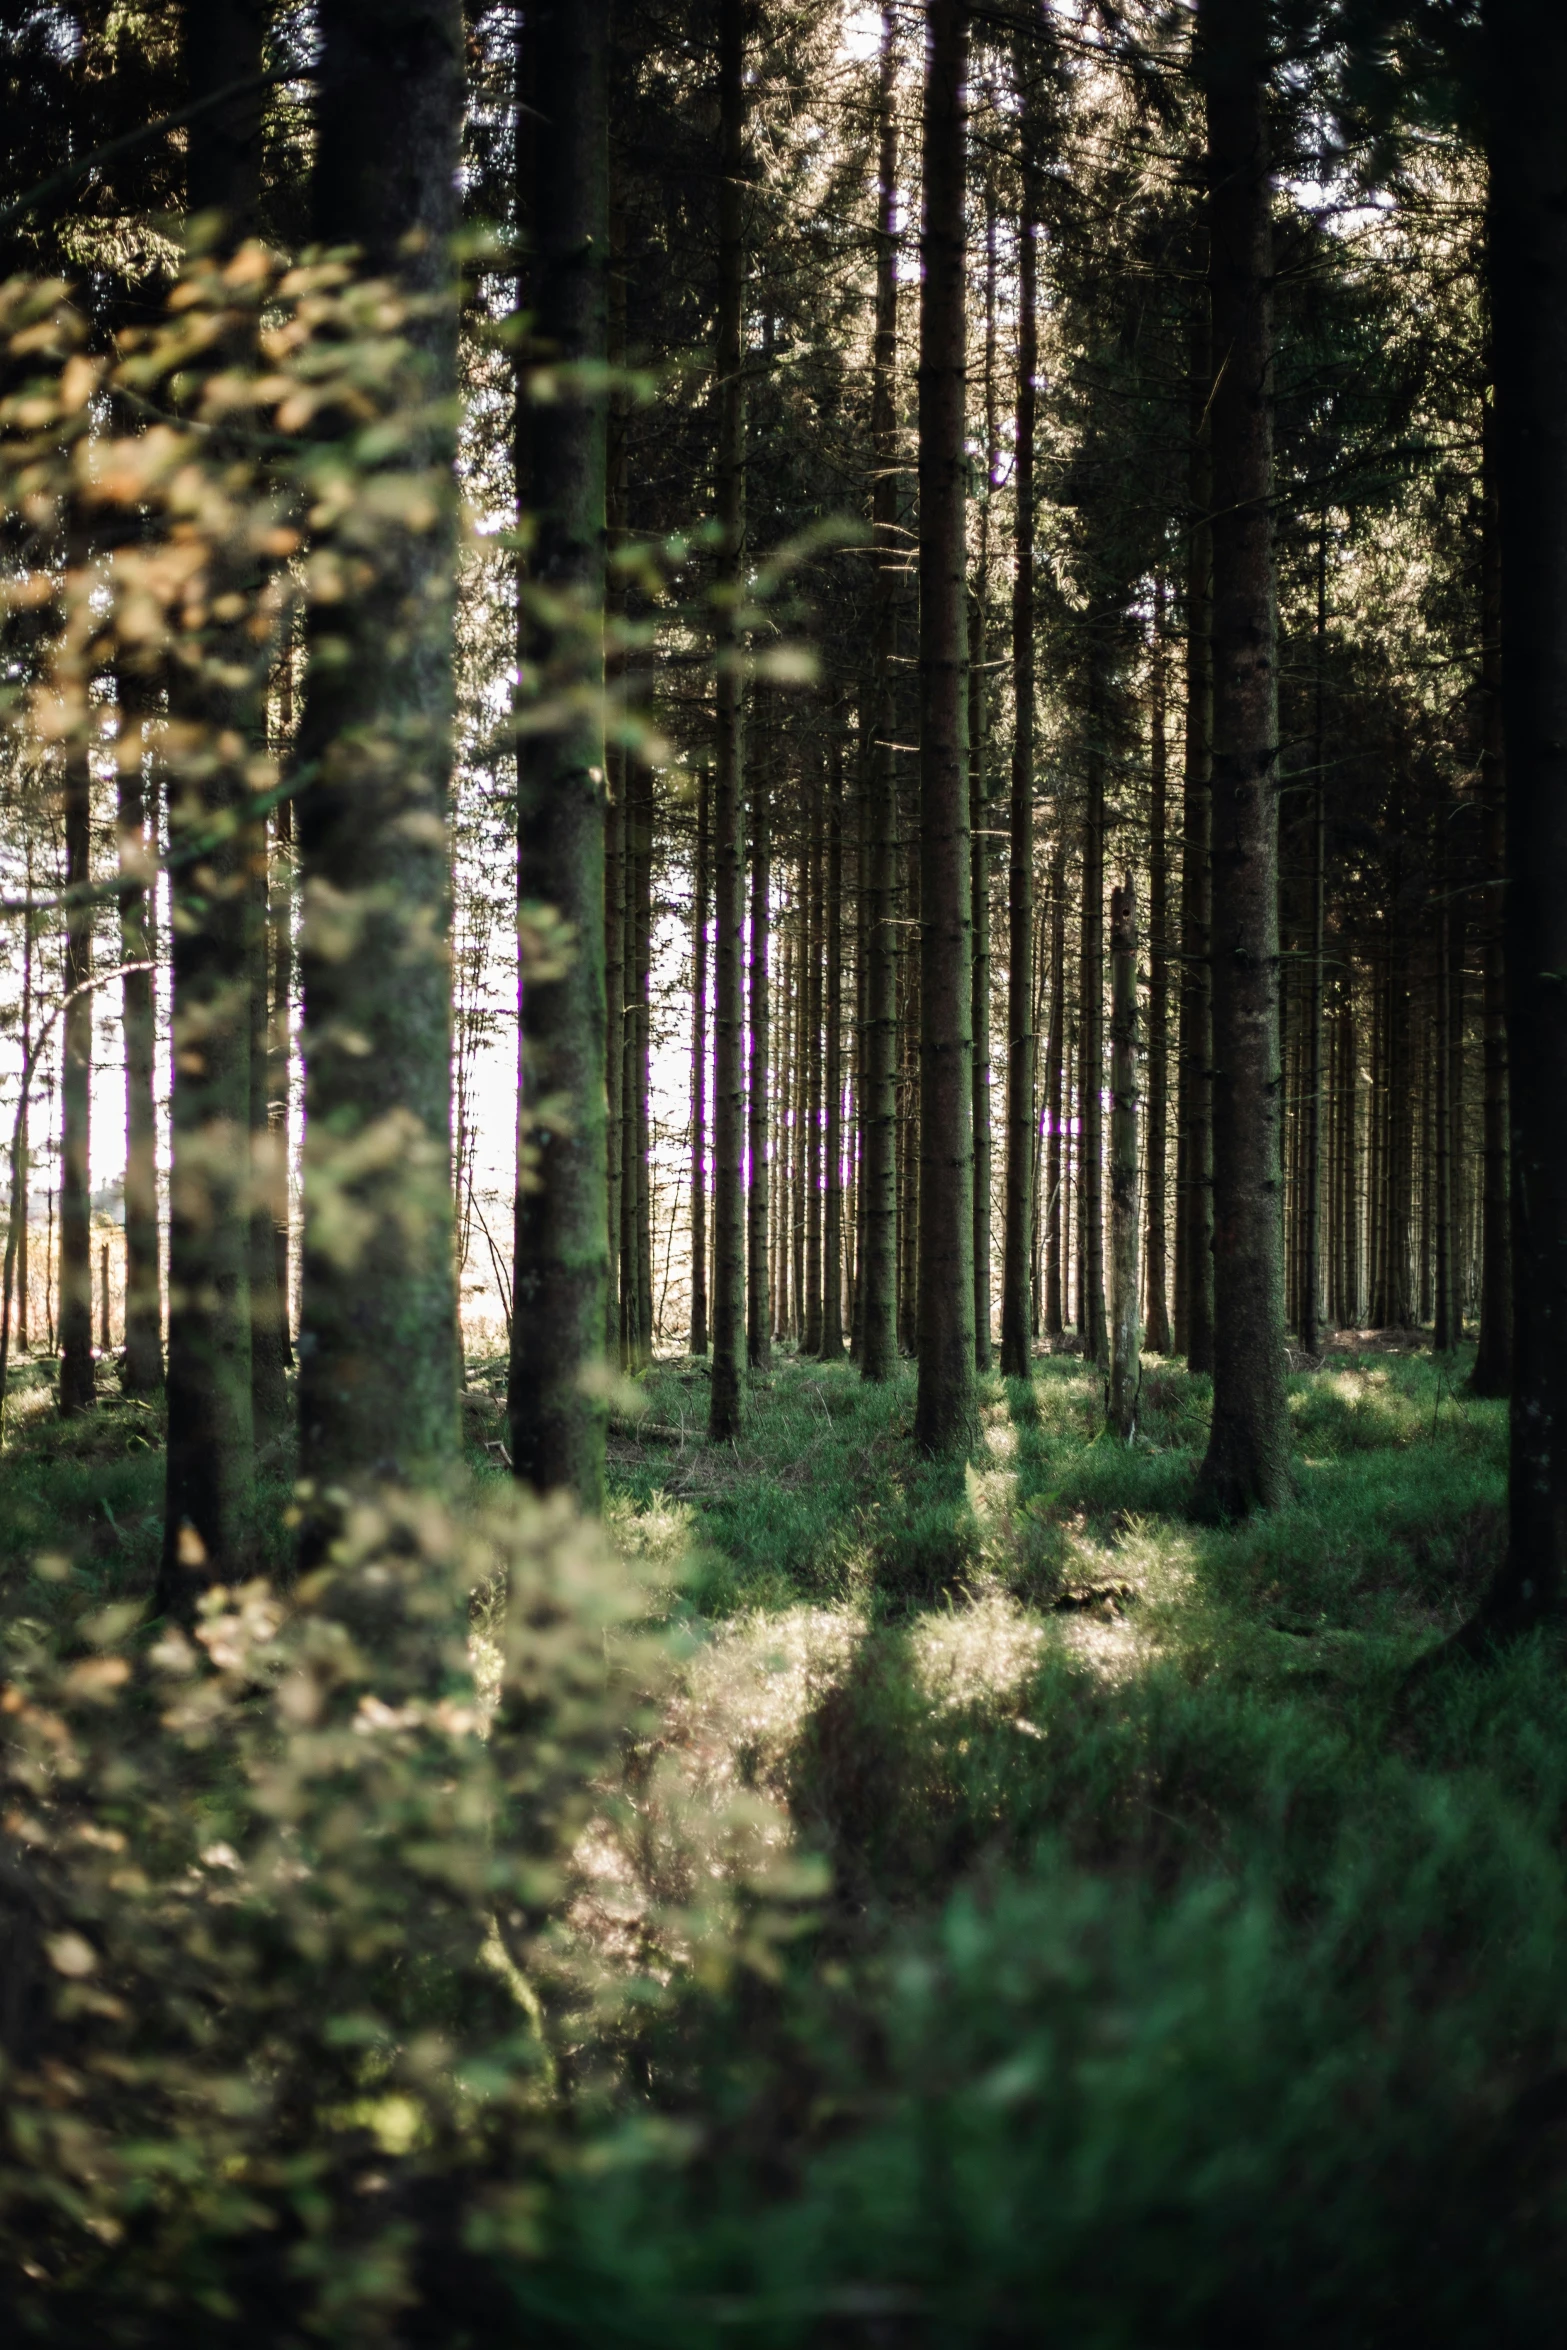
(729, 1016)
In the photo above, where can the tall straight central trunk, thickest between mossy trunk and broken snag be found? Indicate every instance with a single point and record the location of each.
(946, 1402)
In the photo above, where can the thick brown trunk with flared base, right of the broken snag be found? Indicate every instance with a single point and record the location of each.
(1249, 1449)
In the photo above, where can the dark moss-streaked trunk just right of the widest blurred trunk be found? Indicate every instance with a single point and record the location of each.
(560, 1277)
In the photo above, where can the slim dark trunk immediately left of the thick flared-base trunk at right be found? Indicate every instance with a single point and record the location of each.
(1195, 1108)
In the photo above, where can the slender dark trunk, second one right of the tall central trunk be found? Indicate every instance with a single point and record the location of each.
(1021, 1056)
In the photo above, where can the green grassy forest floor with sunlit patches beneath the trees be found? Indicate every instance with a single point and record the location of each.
(1171, 1954)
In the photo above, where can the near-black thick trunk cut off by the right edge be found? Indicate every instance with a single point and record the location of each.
(1528, 274)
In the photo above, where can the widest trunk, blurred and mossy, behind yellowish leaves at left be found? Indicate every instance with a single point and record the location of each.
(379, 1357)
